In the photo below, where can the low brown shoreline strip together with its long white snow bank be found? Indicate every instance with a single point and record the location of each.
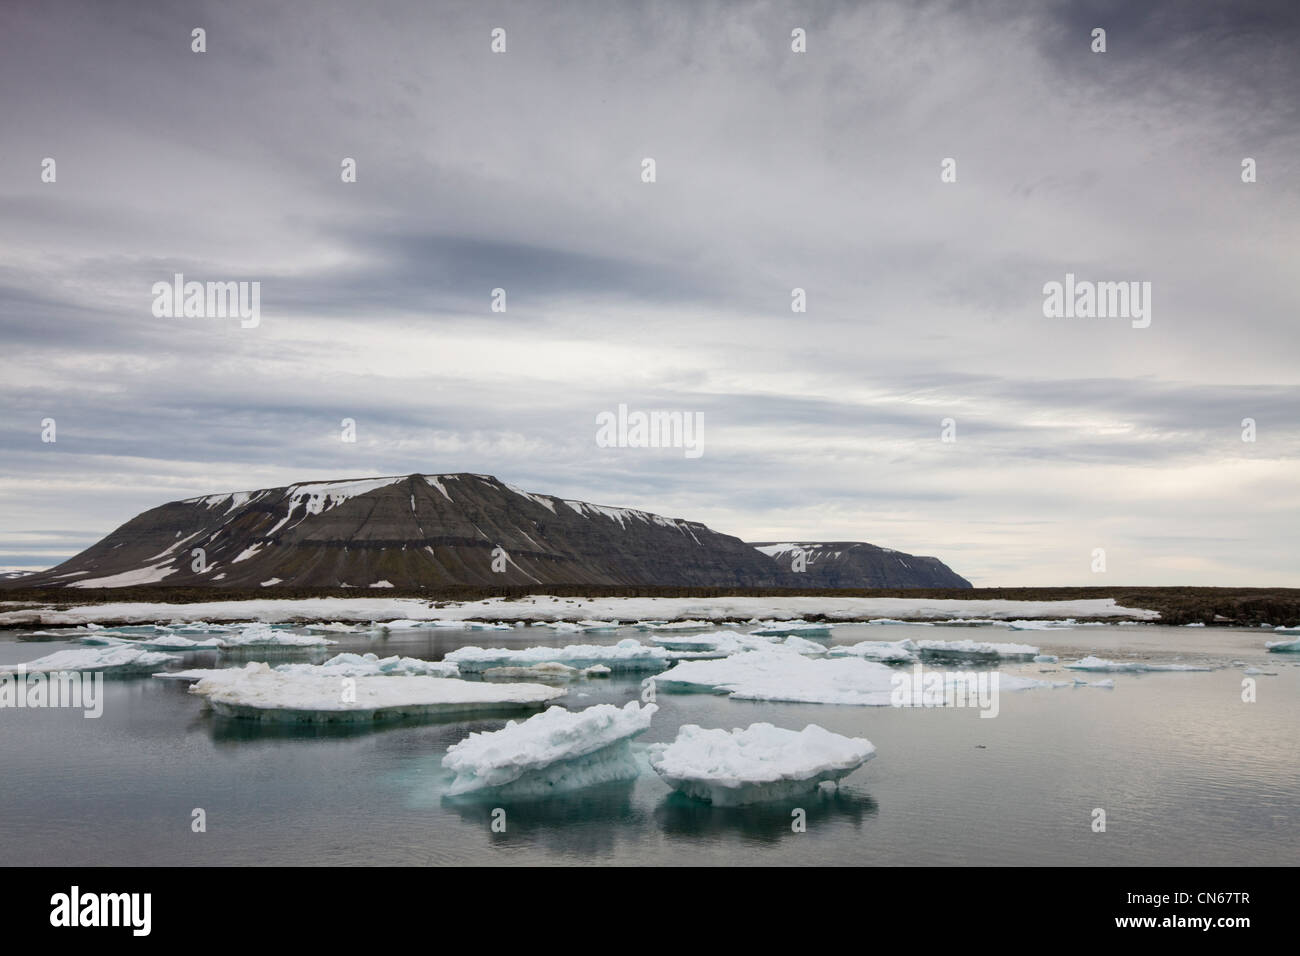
(1211, 607)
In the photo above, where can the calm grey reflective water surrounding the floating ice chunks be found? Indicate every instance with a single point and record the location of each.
(1188, 773)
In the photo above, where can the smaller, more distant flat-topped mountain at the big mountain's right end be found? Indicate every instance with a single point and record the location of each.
(859, 565)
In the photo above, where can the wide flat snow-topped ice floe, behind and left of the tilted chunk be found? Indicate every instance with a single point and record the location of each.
(258, 693)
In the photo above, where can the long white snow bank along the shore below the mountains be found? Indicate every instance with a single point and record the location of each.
(544, 608)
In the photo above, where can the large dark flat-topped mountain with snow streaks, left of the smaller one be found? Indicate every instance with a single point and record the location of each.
(426, 531)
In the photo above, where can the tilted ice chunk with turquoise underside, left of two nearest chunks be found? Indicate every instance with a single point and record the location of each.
(557, 750)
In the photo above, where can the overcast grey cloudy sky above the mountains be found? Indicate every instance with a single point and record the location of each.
(775, 170)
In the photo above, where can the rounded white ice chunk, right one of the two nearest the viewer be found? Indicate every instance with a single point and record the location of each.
(759, 763)
